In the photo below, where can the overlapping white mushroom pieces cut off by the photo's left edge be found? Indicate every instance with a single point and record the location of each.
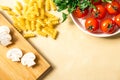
(5, 37)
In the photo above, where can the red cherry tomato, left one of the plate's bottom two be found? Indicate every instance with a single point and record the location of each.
(91, 24)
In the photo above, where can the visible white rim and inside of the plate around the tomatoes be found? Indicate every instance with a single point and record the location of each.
(80, 24)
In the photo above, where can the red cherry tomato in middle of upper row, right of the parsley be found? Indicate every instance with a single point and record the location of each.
(99, 12)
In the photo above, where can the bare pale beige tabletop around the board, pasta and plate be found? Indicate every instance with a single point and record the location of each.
(75, 55)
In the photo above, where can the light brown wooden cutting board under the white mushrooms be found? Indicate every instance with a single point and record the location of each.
(15, 70)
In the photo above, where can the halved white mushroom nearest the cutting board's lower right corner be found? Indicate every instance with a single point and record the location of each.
(28, 59)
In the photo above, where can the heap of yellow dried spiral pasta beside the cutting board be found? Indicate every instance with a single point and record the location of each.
(33, 17)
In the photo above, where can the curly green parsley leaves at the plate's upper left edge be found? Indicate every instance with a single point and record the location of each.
(70, 5)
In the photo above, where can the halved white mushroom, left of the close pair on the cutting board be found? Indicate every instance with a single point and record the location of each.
(14, 54)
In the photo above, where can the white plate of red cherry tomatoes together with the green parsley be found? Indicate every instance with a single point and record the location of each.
(100, 17)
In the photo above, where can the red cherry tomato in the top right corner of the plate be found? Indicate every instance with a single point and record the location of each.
(113, 7)
